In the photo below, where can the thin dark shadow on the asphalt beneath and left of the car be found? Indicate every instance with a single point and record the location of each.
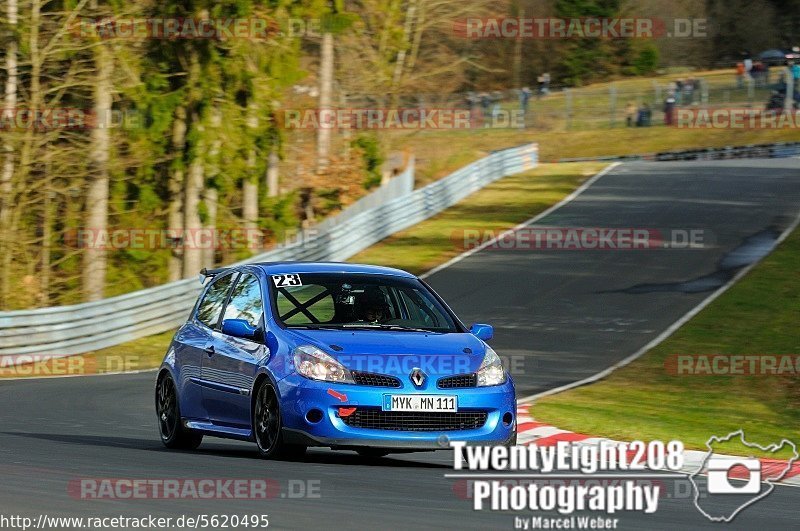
(315, 456)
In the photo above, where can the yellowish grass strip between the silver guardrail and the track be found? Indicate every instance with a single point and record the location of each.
(499, 206)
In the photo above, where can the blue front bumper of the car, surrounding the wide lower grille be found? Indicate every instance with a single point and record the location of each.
(310, 414)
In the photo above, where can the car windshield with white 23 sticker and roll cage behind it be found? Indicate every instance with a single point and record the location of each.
(358, 301)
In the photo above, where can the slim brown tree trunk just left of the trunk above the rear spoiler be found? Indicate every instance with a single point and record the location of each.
(175, 211)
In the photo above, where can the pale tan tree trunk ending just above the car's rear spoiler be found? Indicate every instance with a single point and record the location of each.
(192, 253)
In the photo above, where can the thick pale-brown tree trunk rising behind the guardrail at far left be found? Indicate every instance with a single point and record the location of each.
(95, 258)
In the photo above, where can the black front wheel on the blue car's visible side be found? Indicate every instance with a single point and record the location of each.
(267, 427)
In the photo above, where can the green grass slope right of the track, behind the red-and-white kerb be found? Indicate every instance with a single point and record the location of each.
(758, 315)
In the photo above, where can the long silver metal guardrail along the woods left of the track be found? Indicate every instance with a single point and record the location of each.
(66, 330)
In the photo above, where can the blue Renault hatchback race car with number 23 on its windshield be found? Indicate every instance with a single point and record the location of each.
(293, 354)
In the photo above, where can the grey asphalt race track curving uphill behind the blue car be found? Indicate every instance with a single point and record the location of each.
(563, 315)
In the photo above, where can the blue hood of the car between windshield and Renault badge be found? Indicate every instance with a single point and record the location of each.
(396, 353)
